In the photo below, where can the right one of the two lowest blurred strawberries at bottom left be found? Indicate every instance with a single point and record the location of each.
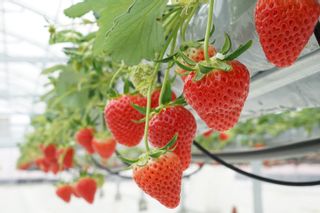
(86, 188)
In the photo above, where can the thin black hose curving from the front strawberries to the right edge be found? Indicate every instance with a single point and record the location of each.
(253, 176)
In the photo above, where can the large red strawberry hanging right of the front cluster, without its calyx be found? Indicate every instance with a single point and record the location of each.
(219, 96)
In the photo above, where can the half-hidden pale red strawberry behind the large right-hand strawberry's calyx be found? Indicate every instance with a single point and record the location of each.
(197, 55)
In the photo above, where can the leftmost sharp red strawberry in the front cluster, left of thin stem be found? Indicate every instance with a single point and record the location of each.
(120, 115)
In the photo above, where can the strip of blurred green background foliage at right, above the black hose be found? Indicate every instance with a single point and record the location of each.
(256, 130)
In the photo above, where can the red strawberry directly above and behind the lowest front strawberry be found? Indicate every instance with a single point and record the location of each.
(166, 124)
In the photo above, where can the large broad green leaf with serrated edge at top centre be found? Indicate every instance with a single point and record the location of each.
(137, 34)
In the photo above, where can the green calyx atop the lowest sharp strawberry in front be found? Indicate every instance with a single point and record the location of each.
(143, 159)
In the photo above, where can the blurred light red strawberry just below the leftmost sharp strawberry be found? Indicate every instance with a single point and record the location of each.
(104, 147)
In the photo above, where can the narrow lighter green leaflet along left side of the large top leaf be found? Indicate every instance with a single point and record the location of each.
(112, 10)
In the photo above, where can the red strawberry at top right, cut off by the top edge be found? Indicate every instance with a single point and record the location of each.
(284, 28)
